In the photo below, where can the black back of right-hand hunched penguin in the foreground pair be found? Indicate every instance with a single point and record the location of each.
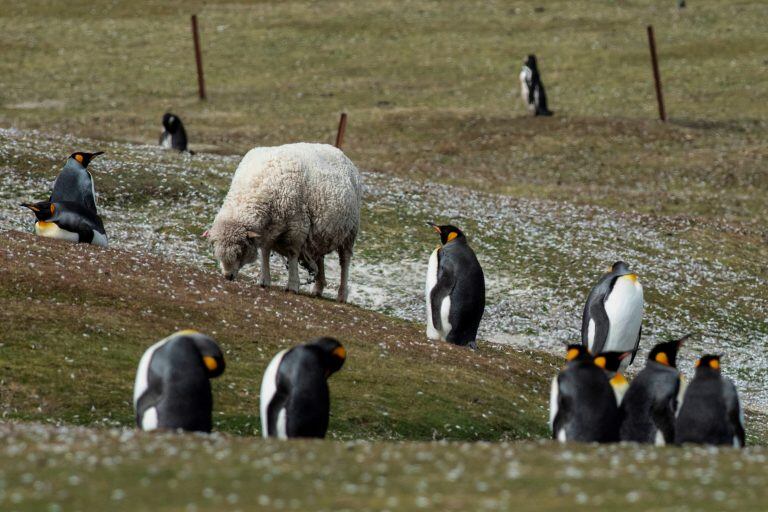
(302, 390)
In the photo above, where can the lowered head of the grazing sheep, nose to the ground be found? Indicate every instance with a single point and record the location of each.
(234, 246)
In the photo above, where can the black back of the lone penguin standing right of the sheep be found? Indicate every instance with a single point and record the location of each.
(458, 260)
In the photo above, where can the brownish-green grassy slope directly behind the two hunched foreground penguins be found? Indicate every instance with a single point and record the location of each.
(76, 319)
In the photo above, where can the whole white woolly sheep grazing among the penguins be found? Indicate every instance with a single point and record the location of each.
(301, 200)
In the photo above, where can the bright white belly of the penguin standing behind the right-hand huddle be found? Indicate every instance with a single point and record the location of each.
(624, 307)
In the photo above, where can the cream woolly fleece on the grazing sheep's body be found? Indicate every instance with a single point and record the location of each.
(312, 191)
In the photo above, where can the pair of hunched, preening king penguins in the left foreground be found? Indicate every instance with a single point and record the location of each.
(172, 390)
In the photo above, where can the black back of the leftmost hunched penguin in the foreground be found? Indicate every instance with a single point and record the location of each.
(179, 388)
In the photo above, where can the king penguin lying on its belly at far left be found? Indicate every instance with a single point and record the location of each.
(68, 221)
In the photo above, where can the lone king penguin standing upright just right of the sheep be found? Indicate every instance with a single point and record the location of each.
(455, 291)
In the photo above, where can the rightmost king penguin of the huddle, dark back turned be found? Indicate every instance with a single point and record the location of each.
(711, 412)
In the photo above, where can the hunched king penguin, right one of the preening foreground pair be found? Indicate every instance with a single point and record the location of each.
(295, 401)
